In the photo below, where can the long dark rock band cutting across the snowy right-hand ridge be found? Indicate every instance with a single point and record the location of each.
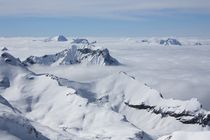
(185, 117)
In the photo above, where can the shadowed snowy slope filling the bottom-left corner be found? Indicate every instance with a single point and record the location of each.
(13, 125)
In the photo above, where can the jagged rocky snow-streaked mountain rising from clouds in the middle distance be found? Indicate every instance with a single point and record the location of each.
(87, 54)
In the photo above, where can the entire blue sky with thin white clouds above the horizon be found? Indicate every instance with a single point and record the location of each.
(105, 18)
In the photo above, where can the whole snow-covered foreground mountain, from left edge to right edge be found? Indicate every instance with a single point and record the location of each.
(115, 107)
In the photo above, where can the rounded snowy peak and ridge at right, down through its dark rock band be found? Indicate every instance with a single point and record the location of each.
(140, 96)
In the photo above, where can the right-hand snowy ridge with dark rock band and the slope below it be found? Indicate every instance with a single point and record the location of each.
(125, 95)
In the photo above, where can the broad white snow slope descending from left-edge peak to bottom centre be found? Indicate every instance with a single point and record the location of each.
(43, 100)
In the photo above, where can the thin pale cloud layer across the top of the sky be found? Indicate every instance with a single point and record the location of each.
(99, 8)
